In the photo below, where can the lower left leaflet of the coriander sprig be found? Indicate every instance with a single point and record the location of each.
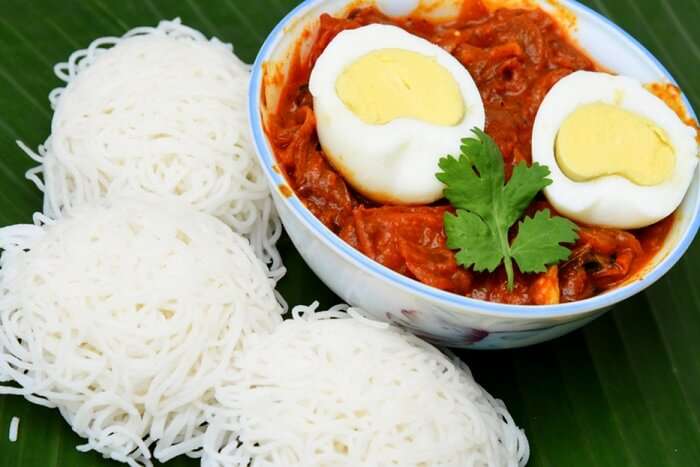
(478, 246)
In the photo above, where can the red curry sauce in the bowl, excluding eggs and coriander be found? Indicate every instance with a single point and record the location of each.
(515, 56)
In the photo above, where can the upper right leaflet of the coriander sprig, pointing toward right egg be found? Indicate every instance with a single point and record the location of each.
(524, 184)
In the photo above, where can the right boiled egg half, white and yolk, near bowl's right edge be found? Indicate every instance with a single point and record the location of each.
(619, 156)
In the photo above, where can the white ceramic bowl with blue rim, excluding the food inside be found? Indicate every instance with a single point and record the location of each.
(439, 316)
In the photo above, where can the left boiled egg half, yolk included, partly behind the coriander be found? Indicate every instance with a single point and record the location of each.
(388, 106)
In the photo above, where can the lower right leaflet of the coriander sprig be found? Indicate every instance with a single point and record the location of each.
(539, 239)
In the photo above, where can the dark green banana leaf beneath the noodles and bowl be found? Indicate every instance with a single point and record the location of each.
(624, 391)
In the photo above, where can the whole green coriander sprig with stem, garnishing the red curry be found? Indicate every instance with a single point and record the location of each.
(487, 207)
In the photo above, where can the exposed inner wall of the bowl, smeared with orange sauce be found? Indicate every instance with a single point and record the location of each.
(606, 43)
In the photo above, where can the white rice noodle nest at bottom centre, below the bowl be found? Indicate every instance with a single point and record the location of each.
(329, 390)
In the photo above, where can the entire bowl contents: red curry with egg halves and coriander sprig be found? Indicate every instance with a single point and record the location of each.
(369, 113)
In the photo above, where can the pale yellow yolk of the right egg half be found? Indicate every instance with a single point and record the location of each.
(602, 139)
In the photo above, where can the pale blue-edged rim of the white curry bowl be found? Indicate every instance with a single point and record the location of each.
(463, 304)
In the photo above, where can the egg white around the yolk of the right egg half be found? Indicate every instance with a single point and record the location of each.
(612, 201)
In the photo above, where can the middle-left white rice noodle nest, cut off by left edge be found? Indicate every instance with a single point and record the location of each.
(125, 315)
